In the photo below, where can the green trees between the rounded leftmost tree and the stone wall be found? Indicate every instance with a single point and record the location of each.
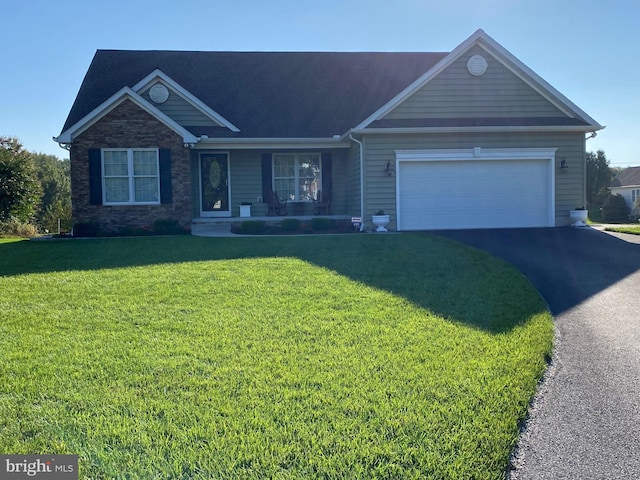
(55, 177)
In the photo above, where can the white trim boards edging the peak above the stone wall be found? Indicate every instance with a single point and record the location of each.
(110, 104)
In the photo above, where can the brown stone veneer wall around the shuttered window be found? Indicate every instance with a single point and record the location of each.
(128, 126)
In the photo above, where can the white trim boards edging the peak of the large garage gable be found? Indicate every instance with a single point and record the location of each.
(496, 50)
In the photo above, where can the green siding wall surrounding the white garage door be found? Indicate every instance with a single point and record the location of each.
(569, 183)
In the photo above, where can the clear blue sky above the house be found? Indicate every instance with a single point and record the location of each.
(588, 50)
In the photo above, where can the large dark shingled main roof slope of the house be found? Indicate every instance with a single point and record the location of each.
(265, 94)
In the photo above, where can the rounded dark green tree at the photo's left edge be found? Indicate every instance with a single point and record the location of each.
(20, 190)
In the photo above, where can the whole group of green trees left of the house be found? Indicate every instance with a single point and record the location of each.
(35, 191)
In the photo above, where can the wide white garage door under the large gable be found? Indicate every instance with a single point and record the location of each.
(435, 195)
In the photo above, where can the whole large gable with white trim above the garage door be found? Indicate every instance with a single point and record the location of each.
(431, 103)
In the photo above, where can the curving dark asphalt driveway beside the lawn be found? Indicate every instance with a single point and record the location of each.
(585, 421)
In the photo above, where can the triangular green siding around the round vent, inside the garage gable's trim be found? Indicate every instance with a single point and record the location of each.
(455, 93)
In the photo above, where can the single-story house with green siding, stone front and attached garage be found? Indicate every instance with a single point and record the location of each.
(467, 139)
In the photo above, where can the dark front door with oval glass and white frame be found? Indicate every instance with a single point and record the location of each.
(214, 185)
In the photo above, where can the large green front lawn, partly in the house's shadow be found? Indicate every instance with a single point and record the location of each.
(364, 356)
